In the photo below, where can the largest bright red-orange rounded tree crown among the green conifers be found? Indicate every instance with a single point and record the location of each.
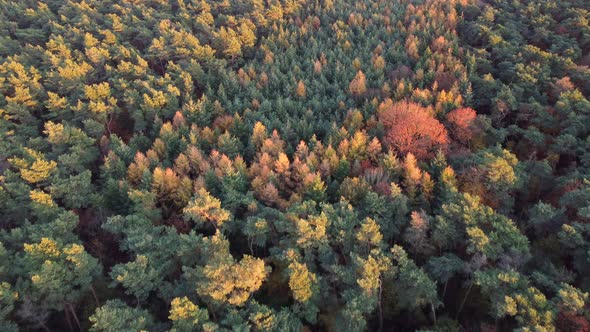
(411, 128)
